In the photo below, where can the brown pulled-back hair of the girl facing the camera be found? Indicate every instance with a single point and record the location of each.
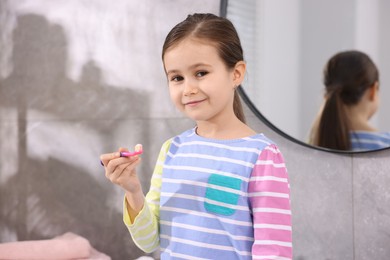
(217, 30)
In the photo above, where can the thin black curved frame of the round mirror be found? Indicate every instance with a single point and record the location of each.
(261, 117)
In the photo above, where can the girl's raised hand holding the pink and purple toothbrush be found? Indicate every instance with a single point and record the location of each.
(122, 170)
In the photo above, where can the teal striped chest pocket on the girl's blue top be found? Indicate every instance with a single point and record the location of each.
(219, 198)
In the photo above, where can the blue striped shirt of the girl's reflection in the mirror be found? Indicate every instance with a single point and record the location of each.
(365, 141)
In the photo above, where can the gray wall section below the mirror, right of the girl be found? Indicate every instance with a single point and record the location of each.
(340, 203)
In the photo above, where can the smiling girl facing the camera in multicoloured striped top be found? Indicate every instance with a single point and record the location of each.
(219, 190)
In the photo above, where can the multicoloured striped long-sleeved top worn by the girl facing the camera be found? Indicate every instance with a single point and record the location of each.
(216, 199)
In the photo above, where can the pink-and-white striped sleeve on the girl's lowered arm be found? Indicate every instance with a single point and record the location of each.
(269, 195)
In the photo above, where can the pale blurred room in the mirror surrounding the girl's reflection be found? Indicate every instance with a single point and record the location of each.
(287, 45)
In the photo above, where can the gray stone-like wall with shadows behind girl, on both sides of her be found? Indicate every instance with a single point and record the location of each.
(82, 78)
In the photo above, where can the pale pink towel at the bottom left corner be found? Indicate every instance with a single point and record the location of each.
(64, 247)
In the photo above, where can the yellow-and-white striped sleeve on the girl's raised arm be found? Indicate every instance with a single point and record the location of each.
(145, 228)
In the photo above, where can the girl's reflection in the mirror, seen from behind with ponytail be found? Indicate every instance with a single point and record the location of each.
(351, 82)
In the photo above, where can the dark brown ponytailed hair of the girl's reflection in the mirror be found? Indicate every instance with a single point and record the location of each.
(347, 76)
